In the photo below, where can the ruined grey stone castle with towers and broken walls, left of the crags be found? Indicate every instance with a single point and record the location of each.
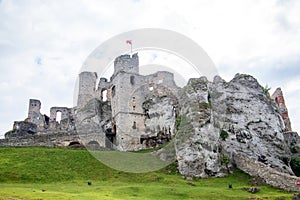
(112, 114)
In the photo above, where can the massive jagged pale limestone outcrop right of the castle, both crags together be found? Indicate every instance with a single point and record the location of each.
(223, 120)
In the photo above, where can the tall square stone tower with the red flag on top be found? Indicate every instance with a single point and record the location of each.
(127, 112)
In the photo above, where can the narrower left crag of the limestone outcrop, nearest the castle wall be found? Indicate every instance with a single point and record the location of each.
(197, 140)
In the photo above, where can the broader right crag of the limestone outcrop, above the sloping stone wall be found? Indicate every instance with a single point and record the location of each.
(254, 127)
